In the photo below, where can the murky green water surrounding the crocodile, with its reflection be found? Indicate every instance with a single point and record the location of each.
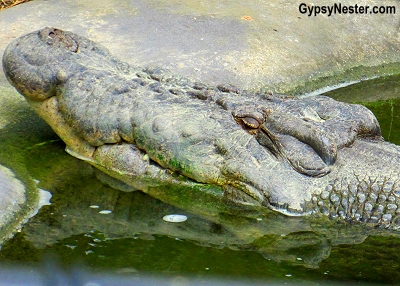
(94, 225)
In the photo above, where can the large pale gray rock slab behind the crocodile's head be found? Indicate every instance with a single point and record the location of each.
(262, 44)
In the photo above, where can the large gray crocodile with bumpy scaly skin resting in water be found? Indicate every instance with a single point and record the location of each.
(151, 129)
